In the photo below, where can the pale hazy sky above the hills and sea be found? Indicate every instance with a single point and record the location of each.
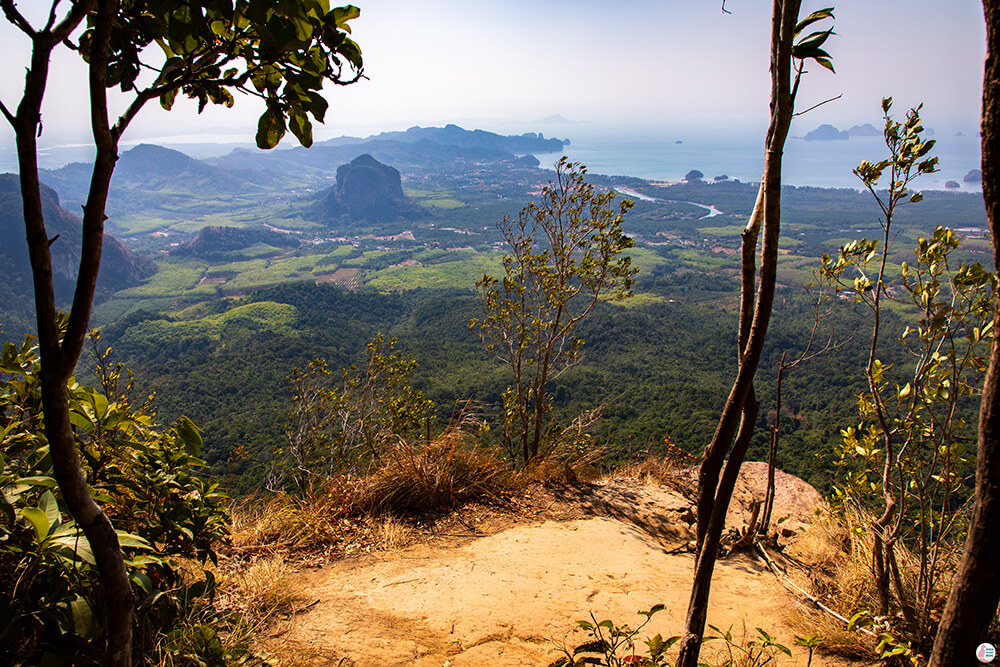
(624, 66)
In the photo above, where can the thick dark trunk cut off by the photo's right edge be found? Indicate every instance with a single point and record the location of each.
(975, 590)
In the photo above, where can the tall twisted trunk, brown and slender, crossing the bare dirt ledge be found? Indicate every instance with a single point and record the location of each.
(740, 410)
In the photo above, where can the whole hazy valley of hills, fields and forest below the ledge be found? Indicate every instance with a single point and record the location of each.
(262, 263)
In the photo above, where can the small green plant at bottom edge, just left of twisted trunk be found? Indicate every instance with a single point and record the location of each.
(614, 645)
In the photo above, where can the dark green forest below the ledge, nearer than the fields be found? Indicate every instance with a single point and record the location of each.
(661, 369)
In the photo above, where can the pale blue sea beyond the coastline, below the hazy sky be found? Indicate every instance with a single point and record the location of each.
(824, 164)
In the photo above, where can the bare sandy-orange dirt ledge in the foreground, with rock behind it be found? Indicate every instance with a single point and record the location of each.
(504, 590)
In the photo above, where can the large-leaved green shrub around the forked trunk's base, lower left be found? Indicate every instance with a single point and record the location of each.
(51, 604)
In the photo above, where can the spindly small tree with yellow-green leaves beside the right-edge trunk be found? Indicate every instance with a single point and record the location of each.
(911, 440)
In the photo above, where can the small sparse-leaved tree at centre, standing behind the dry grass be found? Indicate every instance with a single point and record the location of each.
(566, 255)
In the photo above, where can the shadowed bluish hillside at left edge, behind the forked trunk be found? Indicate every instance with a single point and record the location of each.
(120, 268)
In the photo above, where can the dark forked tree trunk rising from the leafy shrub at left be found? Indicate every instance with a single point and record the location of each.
(59, 356)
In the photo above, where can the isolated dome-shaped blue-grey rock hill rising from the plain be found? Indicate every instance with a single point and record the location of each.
(366, 190)
